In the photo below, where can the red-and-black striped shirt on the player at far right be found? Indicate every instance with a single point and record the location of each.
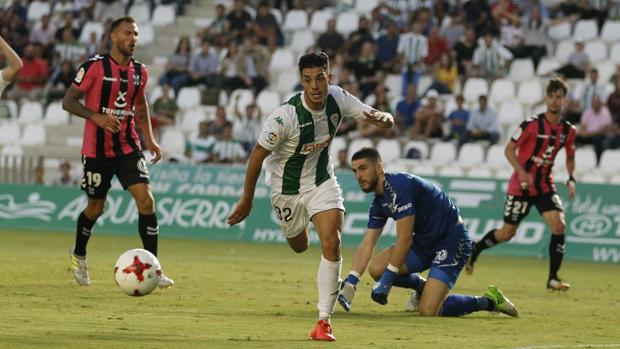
(538, 142)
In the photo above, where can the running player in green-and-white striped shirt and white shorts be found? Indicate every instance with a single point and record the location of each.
(295, 141)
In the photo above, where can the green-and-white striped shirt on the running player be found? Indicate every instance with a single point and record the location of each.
(299, 139)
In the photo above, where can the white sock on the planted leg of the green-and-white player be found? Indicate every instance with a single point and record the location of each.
(328, 278)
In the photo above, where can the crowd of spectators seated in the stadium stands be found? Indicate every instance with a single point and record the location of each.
(436, 47)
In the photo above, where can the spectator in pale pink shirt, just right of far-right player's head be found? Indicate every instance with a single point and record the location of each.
(596, 123)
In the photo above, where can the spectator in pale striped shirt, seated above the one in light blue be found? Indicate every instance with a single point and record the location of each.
(490, 59)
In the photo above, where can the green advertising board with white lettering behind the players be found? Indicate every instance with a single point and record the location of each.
(194, 202)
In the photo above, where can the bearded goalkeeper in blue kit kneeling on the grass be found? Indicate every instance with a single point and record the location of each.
(430, 235)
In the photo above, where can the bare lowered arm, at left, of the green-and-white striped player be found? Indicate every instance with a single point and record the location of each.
(244, 205)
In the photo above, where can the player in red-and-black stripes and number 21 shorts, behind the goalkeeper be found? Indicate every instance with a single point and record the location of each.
(531, 152)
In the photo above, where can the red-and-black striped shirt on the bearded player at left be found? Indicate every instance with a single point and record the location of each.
(111, 88)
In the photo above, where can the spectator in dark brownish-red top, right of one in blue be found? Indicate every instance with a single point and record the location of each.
(429, 118)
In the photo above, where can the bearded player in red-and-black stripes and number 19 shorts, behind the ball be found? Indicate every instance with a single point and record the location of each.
(113, 86)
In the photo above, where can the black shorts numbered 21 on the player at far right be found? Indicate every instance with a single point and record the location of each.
(518, 207)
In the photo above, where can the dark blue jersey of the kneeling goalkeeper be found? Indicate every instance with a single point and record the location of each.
(405, 195)
